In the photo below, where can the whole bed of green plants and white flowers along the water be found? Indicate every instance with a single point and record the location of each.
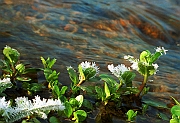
(108, 92)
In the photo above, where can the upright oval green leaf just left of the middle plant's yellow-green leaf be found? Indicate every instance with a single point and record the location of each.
(73, 76)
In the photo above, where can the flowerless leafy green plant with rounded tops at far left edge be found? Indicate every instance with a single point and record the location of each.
(12, 67)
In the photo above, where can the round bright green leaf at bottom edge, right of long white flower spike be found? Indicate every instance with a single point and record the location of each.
(80, 115)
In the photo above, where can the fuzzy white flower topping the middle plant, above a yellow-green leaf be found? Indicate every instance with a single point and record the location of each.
(87, 64)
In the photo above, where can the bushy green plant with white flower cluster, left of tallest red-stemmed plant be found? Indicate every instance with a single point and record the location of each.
(112, 89)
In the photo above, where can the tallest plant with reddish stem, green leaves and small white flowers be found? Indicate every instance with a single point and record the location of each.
(145, 65)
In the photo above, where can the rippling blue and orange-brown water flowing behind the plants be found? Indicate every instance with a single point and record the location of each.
(103, 31)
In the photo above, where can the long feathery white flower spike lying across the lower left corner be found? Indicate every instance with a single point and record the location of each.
(25, 107)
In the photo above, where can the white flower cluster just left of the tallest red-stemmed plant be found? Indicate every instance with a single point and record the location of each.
(118, 70)
